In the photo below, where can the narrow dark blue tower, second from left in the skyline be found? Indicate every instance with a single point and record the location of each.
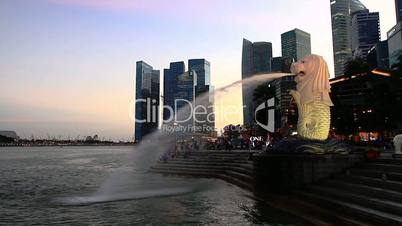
(170, 83)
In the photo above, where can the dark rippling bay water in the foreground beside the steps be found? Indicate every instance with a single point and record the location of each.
(55, 186)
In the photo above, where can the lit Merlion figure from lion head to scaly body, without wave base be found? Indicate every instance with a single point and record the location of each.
(312, 97)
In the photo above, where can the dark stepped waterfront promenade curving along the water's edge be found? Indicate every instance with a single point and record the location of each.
(363, 192)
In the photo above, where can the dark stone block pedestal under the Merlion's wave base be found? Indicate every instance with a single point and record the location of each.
(284, 172)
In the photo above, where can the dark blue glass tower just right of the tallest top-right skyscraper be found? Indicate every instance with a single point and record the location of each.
(365, 32)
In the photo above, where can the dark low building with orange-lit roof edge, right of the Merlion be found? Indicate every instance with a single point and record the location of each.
(369, 103)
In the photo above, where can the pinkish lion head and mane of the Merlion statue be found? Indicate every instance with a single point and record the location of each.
(312, 79)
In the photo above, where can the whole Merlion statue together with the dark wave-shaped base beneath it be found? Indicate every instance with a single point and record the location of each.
(313, 103)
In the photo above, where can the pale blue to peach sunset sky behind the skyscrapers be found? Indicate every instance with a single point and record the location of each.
(67, 67)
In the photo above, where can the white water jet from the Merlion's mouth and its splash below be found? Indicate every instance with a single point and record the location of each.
(139, 183)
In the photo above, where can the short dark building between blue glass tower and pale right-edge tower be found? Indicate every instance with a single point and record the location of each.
(378, 57)
